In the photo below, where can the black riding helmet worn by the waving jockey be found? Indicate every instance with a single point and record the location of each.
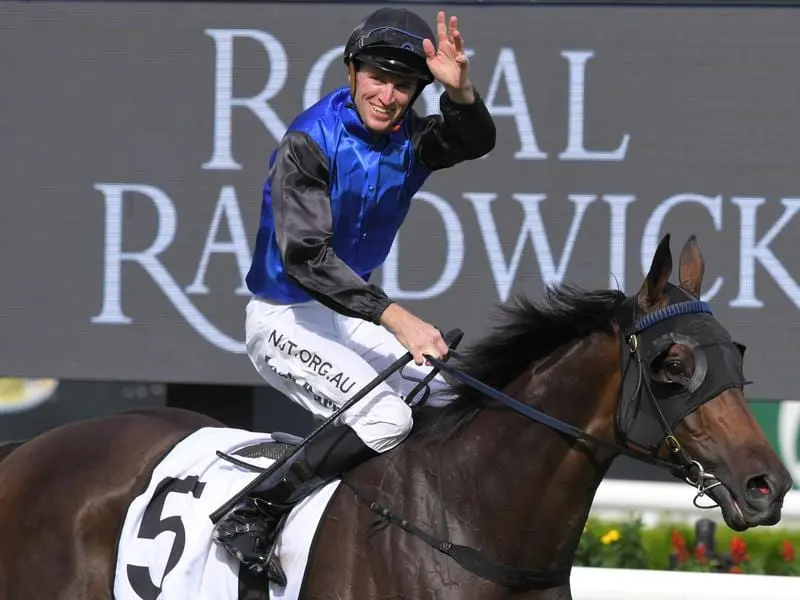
(391, 40)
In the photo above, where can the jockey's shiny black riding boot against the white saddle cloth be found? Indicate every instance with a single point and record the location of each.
(249, 530)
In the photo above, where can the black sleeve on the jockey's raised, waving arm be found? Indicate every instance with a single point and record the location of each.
(462, 132)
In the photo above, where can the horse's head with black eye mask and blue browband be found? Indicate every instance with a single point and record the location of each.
(682, 395)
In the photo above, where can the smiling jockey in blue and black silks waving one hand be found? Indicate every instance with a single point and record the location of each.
(339, 187)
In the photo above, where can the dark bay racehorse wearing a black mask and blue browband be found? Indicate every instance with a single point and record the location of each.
(488, 496)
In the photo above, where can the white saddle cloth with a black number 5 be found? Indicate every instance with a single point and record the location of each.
(165, 550)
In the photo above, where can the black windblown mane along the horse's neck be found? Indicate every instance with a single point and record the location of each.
(524, 331)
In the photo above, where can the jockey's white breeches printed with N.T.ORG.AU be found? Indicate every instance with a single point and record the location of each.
(319, 359)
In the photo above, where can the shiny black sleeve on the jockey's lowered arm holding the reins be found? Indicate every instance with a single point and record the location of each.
(301, 208)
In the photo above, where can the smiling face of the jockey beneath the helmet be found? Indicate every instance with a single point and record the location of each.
(381, 97)
